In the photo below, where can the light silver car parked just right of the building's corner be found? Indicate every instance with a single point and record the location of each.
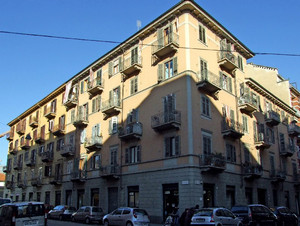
(215, 216)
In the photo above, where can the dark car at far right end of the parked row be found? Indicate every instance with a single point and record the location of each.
(285, 216)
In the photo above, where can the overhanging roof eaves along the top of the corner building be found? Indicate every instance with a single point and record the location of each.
(180, 6)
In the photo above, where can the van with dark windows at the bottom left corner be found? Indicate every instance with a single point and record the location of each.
(23, 213)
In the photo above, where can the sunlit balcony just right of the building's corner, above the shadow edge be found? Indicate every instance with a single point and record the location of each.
(209, 82)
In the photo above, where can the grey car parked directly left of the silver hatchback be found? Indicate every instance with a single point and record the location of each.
(88, 214)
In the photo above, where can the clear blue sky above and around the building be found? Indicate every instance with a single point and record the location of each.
(32, 67)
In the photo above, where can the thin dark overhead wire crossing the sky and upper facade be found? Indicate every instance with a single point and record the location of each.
(118, 42)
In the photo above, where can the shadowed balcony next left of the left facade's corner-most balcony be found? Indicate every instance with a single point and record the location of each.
(132, 131)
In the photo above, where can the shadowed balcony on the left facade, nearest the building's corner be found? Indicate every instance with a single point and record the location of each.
(166, 121)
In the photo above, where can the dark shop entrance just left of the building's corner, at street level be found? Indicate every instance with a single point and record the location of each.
(170, 198)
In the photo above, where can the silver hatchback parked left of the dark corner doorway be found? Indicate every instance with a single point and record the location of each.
(127, 216)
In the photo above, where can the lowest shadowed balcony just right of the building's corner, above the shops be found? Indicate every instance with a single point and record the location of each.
(212, 163)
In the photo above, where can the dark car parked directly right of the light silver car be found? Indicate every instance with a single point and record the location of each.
(255, 214)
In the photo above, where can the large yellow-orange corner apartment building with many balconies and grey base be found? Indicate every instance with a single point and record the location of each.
(161, 121)
